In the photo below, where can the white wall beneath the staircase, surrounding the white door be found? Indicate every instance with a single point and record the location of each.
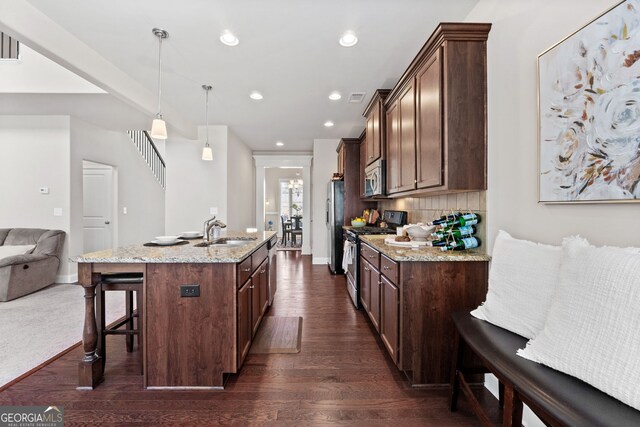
(137, 189)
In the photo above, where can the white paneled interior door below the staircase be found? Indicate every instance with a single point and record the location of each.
(97, 204)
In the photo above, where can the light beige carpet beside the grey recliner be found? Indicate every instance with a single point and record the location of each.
(38, 326)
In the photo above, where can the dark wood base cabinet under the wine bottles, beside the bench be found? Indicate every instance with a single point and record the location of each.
(410, 304)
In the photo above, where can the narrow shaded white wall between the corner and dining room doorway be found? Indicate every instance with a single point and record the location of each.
(240, 185)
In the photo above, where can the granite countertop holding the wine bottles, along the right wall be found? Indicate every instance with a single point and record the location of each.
(423, 253)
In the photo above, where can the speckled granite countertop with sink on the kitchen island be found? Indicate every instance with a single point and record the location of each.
(181, 253)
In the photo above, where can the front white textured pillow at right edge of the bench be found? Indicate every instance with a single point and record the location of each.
(592, 330)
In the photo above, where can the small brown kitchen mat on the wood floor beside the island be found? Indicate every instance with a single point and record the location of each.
(278, 334)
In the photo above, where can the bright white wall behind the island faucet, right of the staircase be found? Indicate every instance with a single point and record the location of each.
(195, 185)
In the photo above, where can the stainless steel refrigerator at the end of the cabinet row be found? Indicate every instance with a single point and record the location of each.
(335, 221)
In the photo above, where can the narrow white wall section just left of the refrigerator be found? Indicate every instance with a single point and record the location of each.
(324, 165)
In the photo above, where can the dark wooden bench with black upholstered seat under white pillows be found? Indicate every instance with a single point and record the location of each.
(556, 398)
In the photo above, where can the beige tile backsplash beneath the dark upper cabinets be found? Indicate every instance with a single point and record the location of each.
(427, 208)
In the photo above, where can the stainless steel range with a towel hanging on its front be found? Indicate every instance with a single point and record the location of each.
(394, 219)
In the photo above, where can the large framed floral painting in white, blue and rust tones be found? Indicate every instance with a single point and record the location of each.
(589, 100)
